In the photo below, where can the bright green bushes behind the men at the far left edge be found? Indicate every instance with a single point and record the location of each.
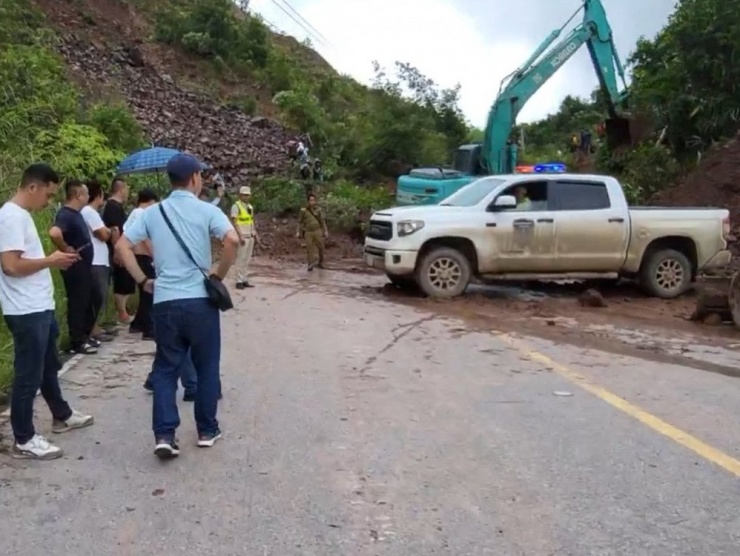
(44, 118)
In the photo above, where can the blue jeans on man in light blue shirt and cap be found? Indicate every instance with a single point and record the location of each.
(182, 326)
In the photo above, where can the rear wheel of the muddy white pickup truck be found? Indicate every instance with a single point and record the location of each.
(666, 273)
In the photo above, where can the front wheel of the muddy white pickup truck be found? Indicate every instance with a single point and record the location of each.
(443, 273)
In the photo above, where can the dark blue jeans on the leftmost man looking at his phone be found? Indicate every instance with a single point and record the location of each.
(36, 365)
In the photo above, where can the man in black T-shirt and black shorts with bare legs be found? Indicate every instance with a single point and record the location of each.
(114, 217)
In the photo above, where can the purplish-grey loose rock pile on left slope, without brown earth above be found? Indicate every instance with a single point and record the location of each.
(239, 146)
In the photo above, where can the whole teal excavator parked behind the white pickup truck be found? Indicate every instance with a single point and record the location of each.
(498, 154)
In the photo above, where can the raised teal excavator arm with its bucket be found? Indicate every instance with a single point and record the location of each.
(499, 155)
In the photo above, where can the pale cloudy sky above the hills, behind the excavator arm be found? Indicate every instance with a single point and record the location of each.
(473, 42)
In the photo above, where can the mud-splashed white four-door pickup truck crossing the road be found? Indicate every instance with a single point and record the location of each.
(545, 227)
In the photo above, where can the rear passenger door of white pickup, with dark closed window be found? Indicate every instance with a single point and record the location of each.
(591, 227)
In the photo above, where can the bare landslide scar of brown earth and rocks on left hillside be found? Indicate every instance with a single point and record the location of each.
(107, 48)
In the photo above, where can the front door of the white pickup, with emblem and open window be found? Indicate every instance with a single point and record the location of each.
(520, 240)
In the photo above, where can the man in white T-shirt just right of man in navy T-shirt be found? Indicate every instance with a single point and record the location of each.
(101, 260)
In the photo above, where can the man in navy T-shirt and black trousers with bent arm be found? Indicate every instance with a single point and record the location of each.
(70, 234)
